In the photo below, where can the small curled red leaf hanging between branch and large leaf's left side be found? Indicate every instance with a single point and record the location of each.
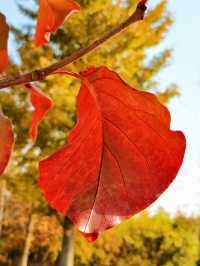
(42, 104)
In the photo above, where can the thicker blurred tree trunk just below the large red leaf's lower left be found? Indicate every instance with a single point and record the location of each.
(67, 253)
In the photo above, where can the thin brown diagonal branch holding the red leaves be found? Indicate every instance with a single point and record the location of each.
(38, 75)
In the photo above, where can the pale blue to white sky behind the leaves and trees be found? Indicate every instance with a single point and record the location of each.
(184, 70)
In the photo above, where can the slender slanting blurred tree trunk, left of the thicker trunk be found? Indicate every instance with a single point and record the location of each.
(27, 245)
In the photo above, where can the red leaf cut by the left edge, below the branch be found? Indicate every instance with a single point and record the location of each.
(6, 141)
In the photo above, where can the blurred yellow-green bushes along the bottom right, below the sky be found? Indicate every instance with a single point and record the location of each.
(144, 240)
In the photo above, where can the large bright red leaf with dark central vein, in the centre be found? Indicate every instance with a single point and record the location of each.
(121, 155)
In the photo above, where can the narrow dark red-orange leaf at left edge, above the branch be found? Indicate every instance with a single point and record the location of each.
(4, 30)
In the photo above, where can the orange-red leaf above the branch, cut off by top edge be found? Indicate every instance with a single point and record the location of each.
(51, 16)
